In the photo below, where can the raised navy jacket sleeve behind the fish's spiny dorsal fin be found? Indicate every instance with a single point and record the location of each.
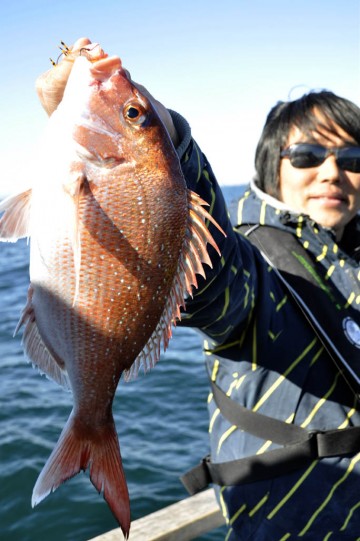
(224, 301)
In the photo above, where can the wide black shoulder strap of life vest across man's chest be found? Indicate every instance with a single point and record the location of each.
(284, 253)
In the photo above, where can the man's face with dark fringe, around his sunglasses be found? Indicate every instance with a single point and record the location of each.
(326, 193)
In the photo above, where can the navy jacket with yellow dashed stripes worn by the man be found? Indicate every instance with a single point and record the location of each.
(260, 351)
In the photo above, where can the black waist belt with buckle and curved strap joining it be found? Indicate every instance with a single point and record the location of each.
(300, 448)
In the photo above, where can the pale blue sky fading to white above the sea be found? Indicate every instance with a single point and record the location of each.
(221, 64)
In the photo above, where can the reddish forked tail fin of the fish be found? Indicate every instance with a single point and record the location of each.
(79, 448)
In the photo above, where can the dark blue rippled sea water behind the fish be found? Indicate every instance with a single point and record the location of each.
(161, 419)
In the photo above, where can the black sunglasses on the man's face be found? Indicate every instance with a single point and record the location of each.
(304, 155)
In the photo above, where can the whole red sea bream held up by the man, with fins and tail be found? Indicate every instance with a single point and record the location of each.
(116, 241)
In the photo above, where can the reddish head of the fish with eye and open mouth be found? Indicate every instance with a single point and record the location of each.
(117, 122)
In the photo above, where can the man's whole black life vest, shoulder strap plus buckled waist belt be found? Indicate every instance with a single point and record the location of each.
(339, 334)
